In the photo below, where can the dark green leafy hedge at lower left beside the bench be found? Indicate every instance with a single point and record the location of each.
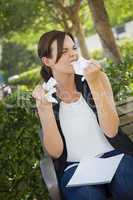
(20, 177)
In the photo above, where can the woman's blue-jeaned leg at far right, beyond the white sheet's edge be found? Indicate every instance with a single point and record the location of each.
(121, 185)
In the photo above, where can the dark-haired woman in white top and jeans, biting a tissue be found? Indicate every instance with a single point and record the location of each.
(84, 122)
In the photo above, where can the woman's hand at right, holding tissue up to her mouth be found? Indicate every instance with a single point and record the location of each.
(92, 71)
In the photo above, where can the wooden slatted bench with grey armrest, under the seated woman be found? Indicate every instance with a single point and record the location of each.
(125, 111)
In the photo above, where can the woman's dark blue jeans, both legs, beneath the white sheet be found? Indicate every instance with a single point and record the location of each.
(121, 185)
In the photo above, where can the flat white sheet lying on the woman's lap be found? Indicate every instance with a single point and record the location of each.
(95, 171)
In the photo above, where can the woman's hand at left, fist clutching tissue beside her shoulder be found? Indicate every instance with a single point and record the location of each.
(39, 94)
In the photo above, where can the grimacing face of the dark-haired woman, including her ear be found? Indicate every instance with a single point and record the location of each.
(69, 54)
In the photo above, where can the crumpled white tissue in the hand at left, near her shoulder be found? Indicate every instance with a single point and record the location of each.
(50, 89)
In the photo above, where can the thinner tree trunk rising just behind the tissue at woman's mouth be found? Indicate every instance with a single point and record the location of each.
(79, 32)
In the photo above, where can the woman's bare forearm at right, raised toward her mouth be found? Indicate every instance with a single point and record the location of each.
(107, 114)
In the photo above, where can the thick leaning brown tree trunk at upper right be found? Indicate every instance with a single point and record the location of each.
(104, 30)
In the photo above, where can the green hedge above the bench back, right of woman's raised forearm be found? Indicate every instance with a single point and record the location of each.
(121, 77)
